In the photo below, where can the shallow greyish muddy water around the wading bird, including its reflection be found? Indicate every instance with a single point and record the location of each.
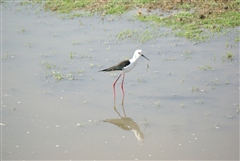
(56, 105)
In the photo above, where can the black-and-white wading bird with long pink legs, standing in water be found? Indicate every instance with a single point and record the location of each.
(124, 66)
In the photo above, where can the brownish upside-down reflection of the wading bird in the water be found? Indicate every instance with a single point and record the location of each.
(126, 123)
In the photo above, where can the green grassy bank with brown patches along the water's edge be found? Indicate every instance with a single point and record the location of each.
(195, 20)
